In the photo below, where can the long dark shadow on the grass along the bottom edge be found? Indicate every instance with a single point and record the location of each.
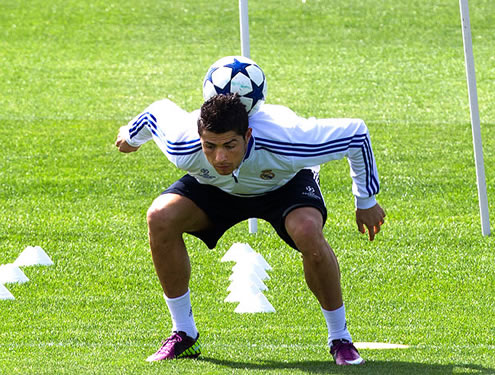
(370, 367)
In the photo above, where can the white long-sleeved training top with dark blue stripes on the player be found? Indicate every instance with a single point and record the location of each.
(282, 144)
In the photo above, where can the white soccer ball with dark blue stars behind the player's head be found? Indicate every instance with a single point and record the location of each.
(237, 74)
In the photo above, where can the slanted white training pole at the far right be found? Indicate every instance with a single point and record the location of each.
(475, 117)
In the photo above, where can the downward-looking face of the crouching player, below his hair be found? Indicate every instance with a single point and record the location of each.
(225, 151)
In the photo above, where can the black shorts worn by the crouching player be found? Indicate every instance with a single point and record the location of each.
(225, 210)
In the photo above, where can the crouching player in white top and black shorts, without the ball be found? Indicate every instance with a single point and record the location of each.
(241, 167)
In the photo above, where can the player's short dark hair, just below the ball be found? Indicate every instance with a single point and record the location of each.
(223, 113)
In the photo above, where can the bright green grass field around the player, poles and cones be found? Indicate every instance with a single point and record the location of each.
(73, 72)
